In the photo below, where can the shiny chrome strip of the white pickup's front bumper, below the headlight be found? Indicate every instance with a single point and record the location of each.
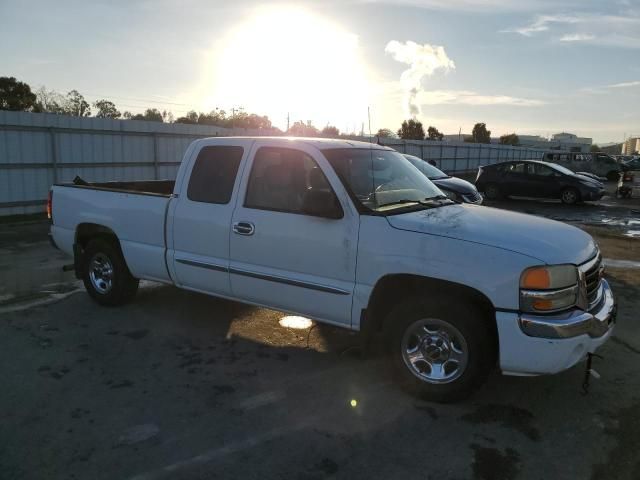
(574, 322)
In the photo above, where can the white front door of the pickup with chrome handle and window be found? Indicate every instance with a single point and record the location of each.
(282, 257)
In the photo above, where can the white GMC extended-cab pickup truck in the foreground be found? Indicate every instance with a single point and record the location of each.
(350, 234)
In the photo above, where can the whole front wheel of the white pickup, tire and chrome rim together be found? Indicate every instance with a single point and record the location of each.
(440, 352)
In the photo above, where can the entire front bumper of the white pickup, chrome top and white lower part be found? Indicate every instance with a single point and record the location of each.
(537, 345)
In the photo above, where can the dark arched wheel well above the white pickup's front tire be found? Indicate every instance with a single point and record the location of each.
(392, 289)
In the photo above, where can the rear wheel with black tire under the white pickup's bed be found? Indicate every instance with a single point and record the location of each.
(98, 256)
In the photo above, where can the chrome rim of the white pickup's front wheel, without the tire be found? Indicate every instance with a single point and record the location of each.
(434, 350)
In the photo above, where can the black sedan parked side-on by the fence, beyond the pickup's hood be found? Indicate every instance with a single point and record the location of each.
(533, 178)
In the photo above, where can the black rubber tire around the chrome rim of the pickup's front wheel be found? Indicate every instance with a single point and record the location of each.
(477, 341)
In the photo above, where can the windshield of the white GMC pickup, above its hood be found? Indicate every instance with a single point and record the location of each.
(383, 180)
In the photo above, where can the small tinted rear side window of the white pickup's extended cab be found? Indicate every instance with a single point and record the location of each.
(214, 174)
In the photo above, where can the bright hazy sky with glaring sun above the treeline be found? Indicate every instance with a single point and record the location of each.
(533, 67)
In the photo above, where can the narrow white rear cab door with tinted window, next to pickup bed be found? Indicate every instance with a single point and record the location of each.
(201, 218)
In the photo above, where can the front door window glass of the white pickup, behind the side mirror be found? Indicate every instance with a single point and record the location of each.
(281, 177)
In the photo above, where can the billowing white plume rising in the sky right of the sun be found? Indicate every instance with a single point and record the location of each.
(423, 61)
